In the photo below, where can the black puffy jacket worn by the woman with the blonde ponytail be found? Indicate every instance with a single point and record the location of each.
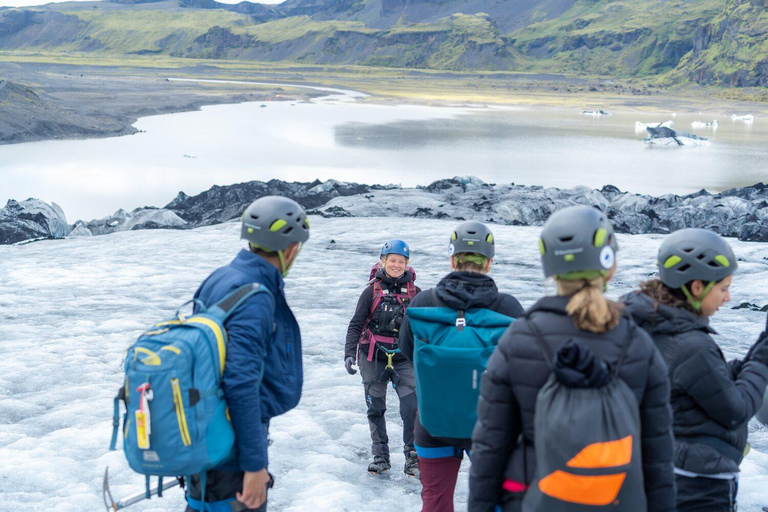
(503, 439)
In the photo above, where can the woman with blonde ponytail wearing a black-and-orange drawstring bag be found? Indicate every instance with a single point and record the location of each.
(577, 344)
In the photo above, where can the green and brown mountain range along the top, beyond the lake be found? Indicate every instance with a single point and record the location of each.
(702, 40)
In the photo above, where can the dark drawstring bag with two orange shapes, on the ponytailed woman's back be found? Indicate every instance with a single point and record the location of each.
(587, 444)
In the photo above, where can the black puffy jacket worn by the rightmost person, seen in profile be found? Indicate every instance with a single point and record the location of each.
(710, 398)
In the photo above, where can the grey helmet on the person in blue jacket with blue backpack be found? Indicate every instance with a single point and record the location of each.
(273, 223)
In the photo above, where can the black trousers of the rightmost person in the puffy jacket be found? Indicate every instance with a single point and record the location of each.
(703, 494)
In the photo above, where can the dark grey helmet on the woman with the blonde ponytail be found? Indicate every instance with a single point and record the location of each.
(577, 242)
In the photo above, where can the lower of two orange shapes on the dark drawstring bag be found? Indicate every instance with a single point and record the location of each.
(585, 490)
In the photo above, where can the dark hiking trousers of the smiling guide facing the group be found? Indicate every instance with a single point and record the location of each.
(375, 380)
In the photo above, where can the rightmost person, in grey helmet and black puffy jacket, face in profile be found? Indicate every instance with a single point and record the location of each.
(712, 400)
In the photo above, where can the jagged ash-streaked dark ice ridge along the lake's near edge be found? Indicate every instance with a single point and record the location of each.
(739, 212)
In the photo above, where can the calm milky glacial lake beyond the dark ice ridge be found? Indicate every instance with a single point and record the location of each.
(375, 144)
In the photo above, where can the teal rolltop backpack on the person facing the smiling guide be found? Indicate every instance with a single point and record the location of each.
(451, 351)
